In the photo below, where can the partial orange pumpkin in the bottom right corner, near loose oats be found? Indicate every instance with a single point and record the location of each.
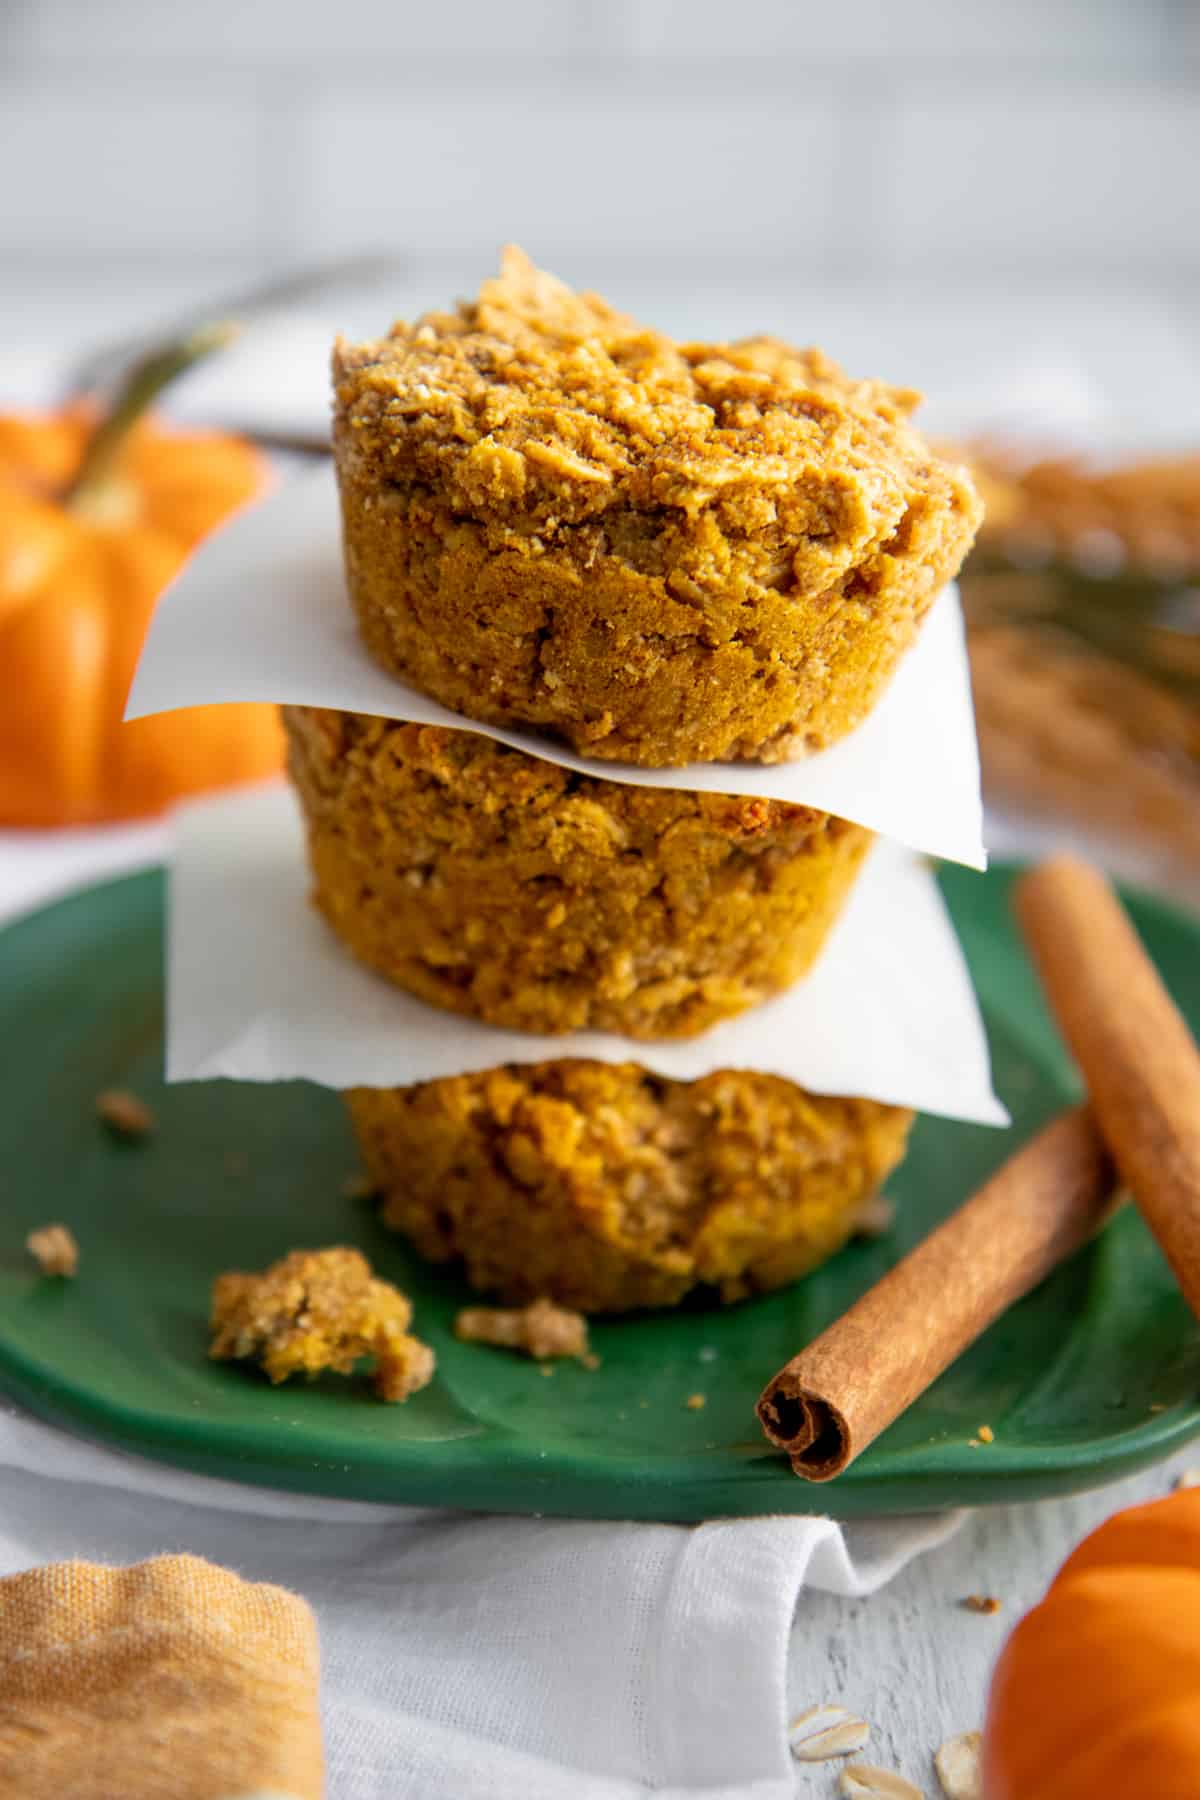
(1098, 1689)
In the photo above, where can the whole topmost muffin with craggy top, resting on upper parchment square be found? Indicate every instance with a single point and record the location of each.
(659, 552)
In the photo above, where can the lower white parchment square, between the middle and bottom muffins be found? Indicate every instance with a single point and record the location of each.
(260, 989)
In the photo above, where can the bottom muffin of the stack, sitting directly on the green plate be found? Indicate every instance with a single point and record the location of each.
(605, 1187)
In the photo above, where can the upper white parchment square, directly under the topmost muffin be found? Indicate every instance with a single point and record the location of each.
(262, 615)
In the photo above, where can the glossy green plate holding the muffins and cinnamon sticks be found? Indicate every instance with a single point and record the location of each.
(1086, 1380)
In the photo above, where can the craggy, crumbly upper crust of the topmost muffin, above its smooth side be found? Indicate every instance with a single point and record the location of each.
(542, 408)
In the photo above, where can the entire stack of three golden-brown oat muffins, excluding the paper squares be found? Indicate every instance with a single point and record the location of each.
(663, 555)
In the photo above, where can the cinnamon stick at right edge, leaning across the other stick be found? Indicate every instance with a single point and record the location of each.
(1134, 1047)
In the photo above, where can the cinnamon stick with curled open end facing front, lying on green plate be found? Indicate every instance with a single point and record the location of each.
(839, 1394)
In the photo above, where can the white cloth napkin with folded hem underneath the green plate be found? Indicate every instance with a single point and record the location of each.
(496, 1659)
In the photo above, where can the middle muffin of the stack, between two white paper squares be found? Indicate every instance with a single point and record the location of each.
(503, 886)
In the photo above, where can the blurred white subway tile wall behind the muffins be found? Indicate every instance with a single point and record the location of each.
(873, 159)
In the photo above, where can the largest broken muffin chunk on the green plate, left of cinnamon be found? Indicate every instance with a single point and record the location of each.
(319, 1311)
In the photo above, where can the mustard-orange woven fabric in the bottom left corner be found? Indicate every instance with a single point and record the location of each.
(172, 1678)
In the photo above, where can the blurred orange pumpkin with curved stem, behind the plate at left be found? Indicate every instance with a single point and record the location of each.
(94, 523)
